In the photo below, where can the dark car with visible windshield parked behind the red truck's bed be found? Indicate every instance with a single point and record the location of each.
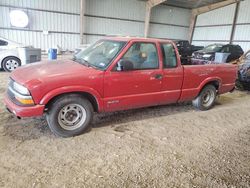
(208, 53)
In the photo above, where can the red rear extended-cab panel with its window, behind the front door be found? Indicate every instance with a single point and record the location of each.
(172, 74)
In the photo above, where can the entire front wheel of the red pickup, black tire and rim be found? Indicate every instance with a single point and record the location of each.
(69, 115)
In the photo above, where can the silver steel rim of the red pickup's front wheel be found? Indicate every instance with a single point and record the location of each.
(72, 116)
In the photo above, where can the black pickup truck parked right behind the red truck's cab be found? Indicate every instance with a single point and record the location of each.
(186, 49)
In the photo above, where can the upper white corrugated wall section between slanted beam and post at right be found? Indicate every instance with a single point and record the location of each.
(219, 16)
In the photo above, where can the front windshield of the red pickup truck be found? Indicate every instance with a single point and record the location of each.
(100, 54)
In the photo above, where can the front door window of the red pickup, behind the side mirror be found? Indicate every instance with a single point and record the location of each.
(142, 56)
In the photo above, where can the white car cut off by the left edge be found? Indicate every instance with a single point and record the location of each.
(9, 56)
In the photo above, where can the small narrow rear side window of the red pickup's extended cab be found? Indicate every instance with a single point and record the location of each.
(168, 55)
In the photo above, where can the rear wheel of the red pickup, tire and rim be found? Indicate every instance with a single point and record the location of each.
(206, 98)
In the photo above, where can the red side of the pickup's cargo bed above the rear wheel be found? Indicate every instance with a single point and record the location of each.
(196, 76)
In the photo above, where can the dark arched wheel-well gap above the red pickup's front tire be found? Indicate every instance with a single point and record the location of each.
(88, 96)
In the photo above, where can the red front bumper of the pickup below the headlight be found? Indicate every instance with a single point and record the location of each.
(21, 111)
